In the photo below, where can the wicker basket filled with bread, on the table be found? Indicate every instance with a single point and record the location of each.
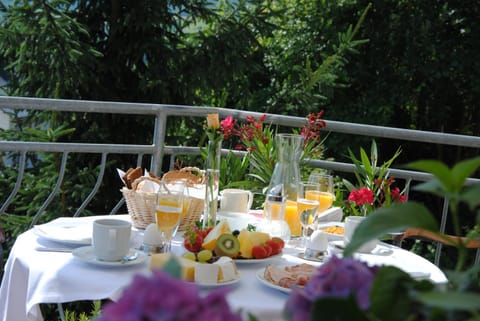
(141, 205)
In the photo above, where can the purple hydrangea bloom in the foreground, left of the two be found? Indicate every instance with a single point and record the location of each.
(164, 298)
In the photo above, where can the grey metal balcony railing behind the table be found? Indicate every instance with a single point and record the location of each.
(157, 149)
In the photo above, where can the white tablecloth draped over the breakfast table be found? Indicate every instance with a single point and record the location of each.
(42, 270)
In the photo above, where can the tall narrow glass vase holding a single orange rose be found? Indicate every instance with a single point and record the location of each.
(212, 181)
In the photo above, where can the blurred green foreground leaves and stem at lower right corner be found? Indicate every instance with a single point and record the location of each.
(461, 298)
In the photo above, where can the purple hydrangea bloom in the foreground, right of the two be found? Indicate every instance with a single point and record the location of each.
(336, 278)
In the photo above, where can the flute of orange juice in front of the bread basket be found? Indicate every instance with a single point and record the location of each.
(169, 208)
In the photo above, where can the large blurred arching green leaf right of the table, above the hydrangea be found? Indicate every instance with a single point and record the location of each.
(391, 219)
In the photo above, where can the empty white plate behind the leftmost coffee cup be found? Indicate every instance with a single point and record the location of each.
(65, 231)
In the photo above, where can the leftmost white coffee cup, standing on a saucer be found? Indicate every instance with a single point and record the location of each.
(111, 239)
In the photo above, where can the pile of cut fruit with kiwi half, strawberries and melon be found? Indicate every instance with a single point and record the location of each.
(246, 245)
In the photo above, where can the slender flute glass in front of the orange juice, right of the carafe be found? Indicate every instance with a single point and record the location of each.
(307, 206)
